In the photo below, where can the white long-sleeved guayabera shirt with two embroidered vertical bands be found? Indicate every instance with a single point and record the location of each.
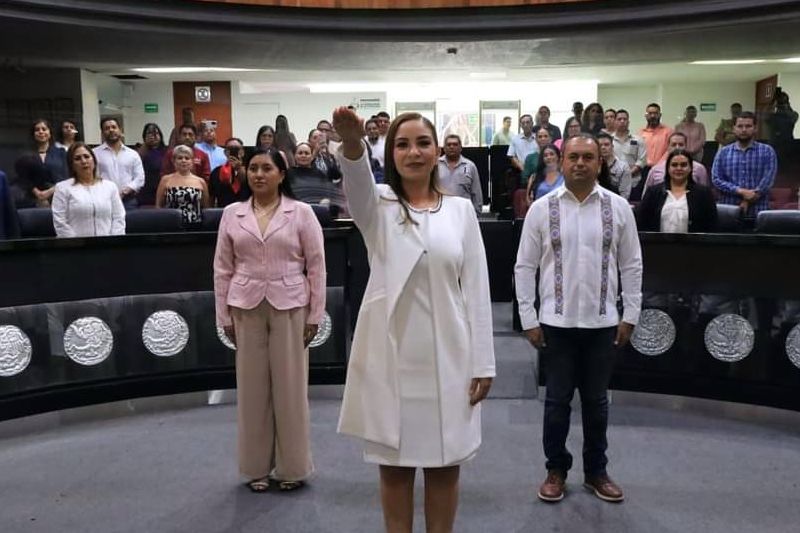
(581, 250)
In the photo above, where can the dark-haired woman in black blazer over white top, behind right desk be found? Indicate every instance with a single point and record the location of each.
(678, 188)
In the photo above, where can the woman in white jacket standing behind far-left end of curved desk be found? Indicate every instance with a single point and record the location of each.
(86, 205)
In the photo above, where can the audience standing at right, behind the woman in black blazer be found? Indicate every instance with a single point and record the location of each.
(742, 173)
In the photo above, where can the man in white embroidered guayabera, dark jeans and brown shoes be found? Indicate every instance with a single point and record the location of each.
(582, 239)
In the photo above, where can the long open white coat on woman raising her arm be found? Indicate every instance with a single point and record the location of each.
(462, 317)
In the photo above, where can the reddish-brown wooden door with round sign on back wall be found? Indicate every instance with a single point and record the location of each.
(217, 108)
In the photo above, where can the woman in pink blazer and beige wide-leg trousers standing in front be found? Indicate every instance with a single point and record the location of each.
(269, 287)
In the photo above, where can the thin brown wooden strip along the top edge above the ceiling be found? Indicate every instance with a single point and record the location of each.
(392, 4)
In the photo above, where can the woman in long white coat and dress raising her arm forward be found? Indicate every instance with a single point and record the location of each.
(422, 357)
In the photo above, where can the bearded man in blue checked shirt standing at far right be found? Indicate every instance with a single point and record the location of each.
(744, 171)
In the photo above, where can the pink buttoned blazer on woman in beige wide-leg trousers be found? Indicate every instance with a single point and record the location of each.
(249, 267)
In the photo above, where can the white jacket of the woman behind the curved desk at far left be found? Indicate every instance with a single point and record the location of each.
(87, 210)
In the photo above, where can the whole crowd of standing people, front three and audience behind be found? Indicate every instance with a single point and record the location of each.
(422, 357)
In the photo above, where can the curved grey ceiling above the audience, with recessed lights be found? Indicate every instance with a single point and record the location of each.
(606, 47)
